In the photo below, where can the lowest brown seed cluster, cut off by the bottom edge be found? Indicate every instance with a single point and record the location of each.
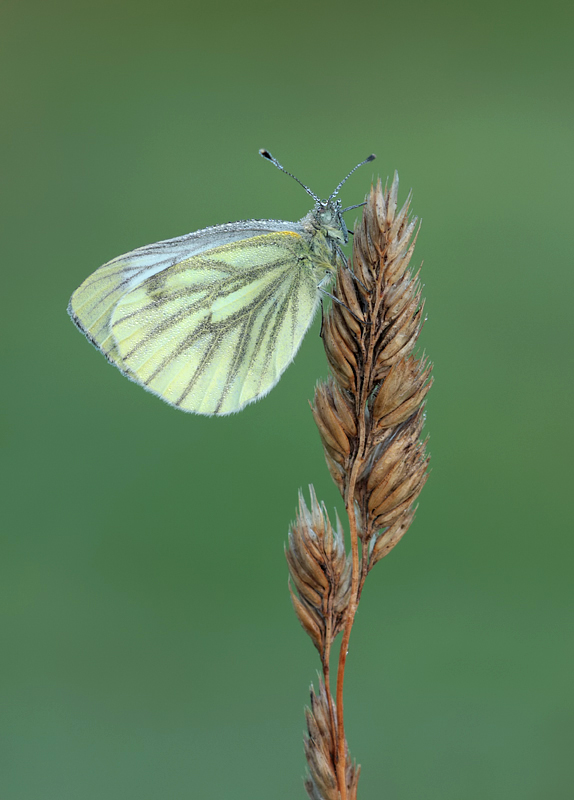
(320, 751)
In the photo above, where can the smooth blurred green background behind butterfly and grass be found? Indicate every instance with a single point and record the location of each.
(149, 649)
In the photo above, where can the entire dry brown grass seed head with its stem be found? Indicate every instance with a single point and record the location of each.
(370, 415)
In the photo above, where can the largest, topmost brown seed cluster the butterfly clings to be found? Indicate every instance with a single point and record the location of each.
(369, 414)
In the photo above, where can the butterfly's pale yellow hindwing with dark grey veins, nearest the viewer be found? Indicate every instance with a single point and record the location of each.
(216, 331)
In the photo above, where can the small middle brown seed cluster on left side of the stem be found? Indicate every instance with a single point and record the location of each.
(321, 572)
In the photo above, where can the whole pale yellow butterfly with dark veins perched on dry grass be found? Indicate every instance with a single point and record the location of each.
(210, 321)
